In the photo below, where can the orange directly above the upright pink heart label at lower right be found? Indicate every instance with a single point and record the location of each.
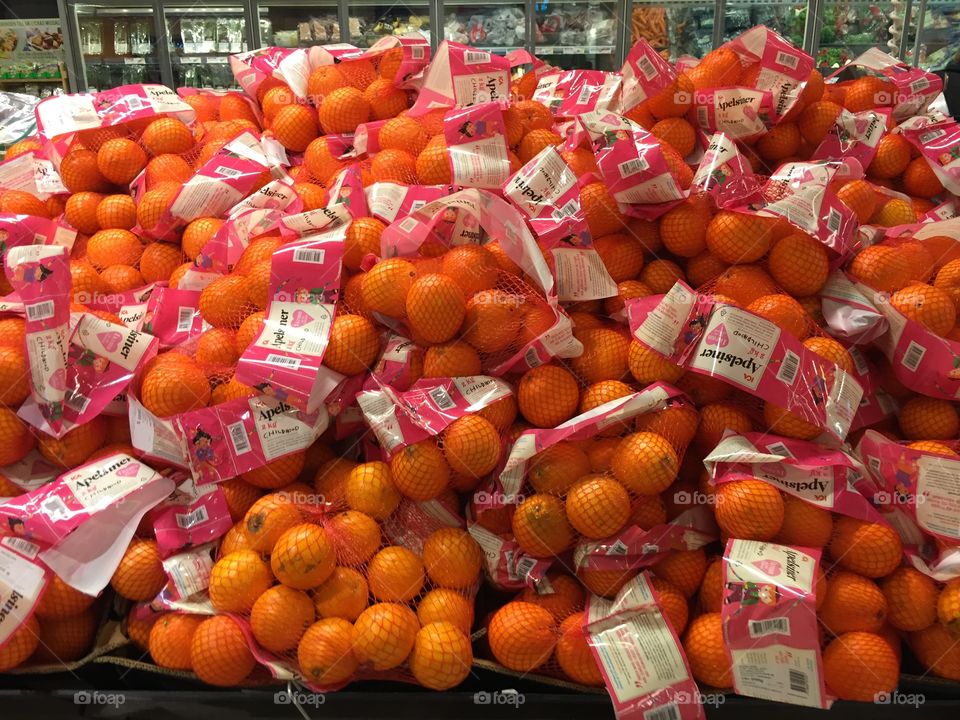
(749, 509)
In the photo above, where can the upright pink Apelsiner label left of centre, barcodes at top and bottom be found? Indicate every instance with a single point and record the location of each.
(284, 361)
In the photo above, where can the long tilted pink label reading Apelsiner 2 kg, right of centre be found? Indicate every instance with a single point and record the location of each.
(759, 357)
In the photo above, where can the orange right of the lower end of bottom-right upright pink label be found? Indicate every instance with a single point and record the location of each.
(859, 666)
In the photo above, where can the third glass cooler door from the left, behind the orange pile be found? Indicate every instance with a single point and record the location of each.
(287, 24)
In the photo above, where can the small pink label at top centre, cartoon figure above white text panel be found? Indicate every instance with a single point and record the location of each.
(477, 146)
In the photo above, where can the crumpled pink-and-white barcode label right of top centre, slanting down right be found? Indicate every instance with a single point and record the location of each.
(632, 164)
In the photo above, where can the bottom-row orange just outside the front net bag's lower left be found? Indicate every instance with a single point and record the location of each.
(219, 654)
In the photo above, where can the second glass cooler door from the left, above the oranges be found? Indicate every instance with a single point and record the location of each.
(200, 40)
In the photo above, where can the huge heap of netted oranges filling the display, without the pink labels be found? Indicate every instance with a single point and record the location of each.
(349, 560)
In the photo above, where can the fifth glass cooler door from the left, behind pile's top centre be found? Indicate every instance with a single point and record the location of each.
(497, 26)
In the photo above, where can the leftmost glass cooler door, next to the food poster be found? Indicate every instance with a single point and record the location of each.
(114, 45)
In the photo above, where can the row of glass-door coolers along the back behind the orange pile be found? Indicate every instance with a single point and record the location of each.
(115, 41)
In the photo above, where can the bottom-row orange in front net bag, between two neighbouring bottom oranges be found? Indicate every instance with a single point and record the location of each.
(384, 635)
